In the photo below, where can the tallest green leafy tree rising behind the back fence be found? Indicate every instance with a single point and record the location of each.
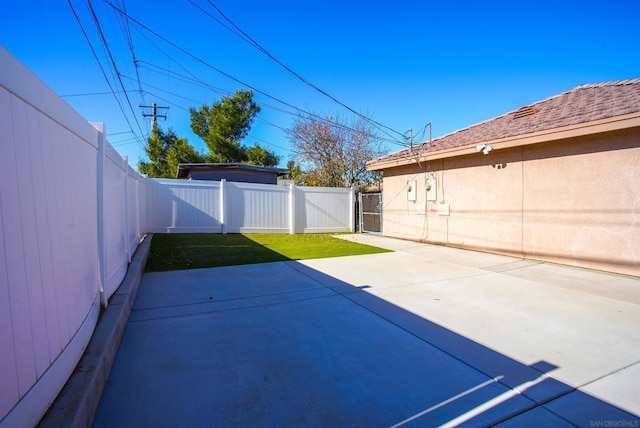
(224, 125)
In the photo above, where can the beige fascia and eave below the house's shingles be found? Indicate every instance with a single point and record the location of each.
(615, 123)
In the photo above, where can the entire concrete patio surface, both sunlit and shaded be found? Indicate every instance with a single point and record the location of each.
(423, 336)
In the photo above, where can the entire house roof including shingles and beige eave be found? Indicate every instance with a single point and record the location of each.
(568, 111)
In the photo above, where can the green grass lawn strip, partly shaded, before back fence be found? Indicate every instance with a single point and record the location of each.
(199, 250)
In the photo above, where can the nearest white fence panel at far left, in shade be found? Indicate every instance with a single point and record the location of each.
(48, 261)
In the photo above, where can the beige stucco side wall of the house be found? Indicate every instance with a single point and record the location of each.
(573, 201)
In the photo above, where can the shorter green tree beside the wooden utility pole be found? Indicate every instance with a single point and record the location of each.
(166, 151)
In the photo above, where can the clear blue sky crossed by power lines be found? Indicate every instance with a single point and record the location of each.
(403, 63)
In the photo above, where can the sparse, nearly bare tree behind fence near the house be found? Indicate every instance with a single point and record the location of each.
(333, 152)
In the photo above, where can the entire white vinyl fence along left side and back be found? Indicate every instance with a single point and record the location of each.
(72, 213)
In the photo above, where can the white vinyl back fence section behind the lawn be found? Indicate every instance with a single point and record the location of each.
(228, 207)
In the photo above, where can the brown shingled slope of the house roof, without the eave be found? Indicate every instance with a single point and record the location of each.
(585, 103)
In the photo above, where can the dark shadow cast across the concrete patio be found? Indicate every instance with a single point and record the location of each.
(282, 344)
